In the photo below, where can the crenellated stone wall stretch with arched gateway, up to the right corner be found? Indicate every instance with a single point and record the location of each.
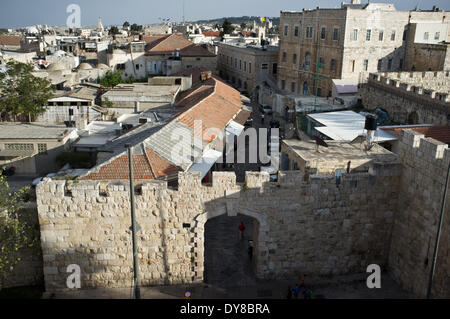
(313, 227)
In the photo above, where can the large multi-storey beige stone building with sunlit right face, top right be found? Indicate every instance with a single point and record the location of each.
(353, 41)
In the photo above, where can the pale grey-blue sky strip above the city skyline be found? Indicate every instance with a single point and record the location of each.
(21, 13)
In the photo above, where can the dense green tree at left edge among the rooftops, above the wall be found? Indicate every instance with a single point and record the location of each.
(21, 93)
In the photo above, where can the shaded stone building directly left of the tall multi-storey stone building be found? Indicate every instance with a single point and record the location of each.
(247, 65)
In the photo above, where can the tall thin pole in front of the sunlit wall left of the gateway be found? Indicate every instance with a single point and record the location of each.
(137, 289)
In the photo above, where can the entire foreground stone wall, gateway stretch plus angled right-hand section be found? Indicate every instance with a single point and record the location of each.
(386, 216)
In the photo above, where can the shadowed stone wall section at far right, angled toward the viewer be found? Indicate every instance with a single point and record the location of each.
(425, 164)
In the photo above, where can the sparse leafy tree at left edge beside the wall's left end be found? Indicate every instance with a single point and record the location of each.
(15, 233)
